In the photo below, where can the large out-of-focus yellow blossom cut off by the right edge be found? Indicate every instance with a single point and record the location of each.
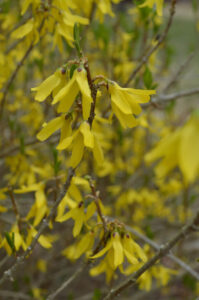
(179, 148)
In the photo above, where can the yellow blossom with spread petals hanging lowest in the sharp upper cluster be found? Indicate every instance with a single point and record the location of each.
(82, 138)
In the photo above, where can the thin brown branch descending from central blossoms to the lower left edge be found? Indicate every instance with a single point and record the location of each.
(8, 273)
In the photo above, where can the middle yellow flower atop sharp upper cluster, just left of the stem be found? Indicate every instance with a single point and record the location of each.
(67, 95)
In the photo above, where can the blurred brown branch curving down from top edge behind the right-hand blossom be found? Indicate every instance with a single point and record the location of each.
(146, 57)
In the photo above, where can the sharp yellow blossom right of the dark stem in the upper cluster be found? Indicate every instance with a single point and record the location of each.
(125, 103)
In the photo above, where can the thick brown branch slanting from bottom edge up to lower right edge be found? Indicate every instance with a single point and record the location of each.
(164, 249)
